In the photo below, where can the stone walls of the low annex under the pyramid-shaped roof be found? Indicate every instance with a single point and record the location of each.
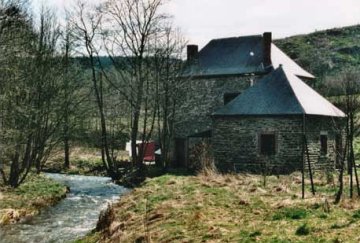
(236, 143)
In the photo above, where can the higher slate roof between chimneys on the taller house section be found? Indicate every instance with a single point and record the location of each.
(239, 55)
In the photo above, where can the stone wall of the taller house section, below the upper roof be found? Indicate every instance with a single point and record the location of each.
(201, 98)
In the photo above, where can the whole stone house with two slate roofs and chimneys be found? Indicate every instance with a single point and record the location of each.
(253, 104)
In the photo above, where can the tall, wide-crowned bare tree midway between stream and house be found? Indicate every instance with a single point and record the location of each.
(132, 28)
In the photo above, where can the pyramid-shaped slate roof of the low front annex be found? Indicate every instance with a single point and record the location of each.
(279, 93)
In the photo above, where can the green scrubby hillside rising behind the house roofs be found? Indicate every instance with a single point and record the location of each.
(324, 53)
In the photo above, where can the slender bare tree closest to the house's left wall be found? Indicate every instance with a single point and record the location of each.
(168, 66)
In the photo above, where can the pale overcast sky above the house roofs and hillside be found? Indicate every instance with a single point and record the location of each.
(203, 20)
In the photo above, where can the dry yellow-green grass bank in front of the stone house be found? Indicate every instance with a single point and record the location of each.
(232, 208)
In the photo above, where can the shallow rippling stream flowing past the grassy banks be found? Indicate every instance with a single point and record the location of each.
(71, 218)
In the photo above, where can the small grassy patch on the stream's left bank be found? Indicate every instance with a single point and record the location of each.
(27, 200)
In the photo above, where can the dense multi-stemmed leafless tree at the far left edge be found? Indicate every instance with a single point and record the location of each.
(29, 96)
